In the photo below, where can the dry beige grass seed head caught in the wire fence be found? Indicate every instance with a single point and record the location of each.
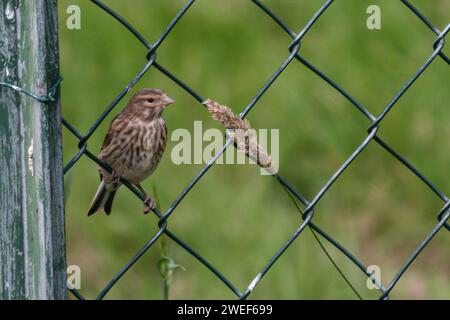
(240, 131)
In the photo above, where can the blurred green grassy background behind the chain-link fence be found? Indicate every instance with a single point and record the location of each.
(235, 217)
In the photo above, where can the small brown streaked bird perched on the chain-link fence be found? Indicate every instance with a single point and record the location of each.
(133, 147)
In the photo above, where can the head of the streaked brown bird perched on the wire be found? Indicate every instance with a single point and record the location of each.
(150, 103)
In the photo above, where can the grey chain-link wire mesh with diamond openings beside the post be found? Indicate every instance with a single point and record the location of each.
(308, 212)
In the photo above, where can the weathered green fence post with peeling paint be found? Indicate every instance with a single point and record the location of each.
(32, 241)
